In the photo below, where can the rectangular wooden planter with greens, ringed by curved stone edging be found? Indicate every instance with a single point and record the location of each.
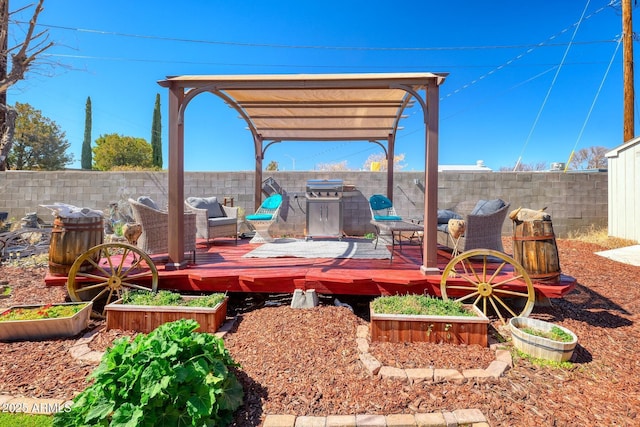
(415, 318)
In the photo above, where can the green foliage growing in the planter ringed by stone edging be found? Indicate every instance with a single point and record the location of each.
(419, 304)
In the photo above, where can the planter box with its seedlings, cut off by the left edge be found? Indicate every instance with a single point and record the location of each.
(24, 322)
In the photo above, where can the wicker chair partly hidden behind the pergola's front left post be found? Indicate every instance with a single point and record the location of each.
(155, 229)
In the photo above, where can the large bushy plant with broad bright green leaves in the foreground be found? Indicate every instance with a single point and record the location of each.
(171, 376)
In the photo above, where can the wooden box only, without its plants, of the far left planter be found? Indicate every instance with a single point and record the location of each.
(39, 329)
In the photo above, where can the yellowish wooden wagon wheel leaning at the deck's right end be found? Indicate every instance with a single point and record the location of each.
(492, 281)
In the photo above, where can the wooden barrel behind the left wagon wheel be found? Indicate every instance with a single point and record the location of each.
(70, 238)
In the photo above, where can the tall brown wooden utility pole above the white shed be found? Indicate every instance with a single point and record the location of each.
(627, 59)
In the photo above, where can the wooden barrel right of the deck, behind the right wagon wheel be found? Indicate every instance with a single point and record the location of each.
(534, 247)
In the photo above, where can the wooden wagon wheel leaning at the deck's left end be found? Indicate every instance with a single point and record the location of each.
(116, 267)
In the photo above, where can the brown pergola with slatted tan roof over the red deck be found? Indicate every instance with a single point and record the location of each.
(311, 107)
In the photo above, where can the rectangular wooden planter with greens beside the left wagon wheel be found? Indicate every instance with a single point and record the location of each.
(143, 311)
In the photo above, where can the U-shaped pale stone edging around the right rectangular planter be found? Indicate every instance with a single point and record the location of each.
(495, 369)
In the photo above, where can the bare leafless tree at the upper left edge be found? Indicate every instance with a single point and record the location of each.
(22, 57)
